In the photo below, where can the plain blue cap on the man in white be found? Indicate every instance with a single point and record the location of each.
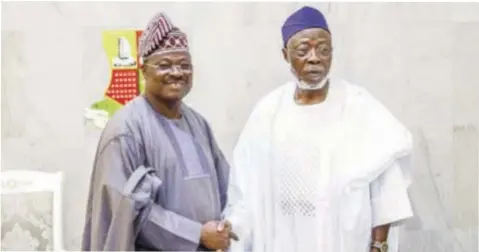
(304, 18)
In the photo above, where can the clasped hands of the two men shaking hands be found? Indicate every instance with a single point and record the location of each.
(217, 234)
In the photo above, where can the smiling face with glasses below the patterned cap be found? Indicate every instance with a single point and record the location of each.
(168, 76)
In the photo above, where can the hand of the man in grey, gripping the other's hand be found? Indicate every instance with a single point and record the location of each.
(212, 238)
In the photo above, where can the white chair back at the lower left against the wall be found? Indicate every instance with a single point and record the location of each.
(31, 211)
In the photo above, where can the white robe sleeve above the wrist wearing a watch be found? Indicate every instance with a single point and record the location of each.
(390, 201)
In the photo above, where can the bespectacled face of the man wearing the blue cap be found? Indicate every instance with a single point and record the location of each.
(310, 54)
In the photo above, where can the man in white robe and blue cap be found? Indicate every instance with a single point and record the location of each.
(321, 165)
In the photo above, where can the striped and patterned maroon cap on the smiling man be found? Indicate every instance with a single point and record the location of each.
(161, 35)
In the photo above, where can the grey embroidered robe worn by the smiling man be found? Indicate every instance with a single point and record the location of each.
(155, 181)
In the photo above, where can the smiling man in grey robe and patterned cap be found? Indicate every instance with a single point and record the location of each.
(159, 180)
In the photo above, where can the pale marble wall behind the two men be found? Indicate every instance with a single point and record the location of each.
(420, 59)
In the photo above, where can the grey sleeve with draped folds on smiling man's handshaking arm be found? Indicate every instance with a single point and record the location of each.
(120, 208)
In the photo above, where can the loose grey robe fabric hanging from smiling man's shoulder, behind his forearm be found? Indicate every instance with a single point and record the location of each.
(110, 212)
